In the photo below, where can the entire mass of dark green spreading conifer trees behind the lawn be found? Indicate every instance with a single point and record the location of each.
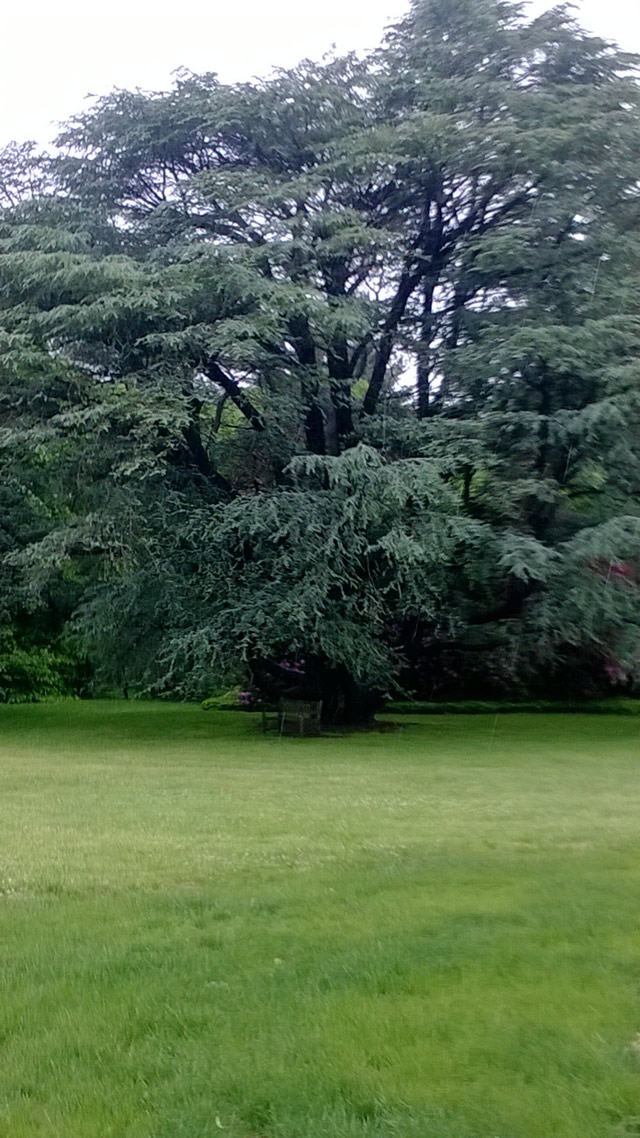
(340, 367)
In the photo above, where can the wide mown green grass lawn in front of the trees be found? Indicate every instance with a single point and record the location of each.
(425, 935)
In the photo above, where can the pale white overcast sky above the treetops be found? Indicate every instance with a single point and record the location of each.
(55, 53)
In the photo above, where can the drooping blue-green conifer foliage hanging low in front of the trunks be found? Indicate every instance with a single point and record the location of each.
(323, 567)
